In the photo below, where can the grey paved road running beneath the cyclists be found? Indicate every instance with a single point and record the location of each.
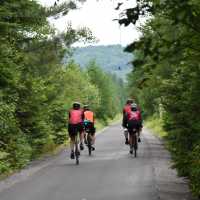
(110, 174)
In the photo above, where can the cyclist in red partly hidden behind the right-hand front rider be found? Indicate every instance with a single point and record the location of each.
(126, 109)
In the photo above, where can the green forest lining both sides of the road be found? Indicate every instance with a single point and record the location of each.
(37, 88)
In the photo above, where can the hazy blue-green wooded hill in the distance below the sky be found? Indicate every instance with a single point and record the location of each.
(110, 58)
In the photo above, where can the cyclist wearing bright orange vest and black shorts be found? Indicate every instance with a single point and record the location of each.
(89, 123)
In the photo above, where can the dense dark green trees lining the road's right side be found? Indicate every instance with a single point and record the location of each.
(166, 77)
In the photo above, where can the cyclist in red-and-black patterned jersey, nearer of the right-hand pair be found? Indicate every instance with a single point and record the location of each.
(133, 122)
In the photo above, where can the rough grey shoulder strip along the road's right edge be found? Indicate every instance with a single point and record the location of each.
(168, 184)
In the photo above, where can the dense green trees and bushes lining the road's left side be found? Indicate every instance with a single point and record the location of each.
(36, 90)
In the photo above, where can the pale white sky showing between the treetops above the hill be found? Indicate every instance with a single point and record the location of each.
(98, 17)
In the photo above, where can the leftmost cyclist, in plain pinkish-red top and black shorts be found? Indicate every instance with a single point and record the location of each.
(75, 126)
